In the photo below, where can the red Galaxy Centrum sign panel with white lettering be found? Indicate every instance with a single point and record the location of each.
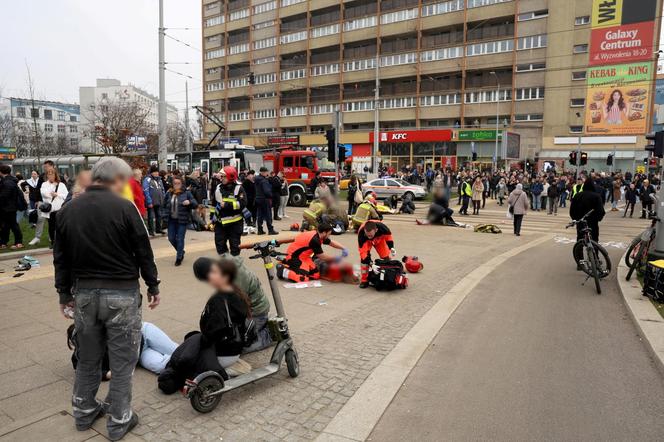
(621, 44)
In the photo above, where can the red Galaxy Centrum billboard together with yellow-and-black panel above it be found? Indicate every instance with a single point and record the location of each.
(622, 31)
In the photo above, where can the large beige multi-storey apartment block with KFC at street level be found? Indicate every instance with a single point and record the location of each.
(466, 66)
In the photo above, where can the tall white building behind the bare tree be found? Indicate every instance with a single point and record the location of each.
(108, 92)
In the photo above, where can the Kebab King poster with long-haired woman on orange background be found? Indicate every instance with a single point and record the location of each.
(617, 99)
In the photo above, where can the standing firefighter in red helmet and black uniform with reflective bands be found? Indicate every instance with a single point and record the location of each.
(231, 201)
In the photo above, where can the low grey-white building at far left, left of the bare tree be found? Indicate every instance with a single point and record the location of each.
(48, 126)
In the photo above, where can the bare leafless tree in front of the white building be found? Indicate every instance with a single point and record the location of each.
(113, 122)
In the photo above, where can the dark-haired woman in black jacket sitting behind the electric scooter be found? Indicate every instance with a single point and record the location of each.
(224, 321)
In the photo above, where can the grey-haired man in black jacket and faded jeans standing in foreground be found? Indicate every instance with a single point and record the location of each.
(102, 249)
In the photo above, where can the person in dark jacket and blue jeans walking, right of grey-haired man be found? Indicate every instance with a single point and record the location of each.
(178, 204)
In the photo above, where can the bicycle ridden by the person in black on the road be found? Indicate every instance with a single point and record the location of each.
(590, 256)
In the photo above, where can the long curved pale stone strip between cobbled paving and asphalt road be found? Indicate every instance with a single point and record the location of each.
(357, 418)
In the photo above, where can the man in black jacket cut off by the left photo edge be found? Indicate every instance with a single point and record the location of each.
(10, 197)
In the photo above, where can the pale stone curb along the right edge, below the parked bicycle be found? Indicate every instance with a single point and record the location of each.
(647, 319)
